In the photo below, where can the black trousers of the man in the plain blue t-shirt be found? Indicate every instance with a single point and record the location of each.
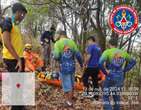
(93, 73)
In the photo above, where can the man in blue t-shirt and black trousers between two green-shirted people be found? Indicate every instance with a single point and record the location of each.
(93, 53)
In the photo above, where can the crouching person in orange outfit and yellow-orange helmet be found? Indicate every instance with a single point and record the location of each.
(32, 60)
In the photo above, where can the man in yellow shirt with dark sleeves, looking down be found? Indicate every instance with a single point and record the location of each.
(12, 42)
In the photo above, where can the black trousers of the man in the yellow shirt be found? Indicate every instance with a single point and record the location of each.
(11, 67)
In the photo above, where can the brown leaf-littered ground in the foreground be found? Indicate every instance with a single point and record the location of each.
(51, 98)
